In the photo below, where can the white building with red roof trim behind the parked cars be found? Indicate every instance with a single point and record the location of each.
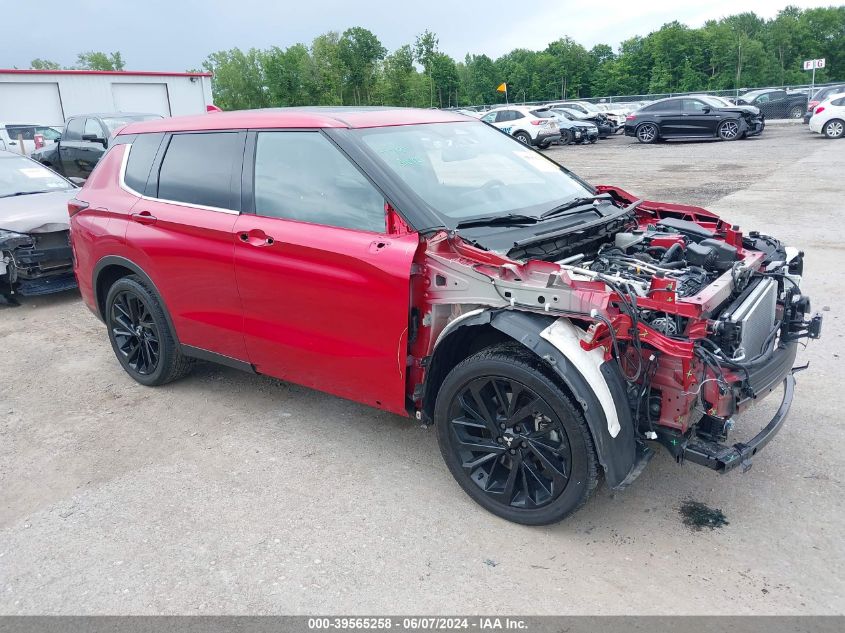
(48, 97)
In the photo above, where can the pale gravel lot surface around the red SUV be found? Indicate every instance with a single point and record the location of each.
(231, 493)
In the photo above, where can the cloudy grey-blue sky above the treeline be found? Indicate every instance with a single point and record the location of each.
(175, 35)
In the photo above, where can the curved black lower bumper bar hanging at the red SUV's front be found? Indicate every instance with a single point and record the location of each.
(723, 458)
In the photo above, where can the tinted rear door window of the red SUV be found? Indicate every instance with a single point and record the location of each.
(197, 169)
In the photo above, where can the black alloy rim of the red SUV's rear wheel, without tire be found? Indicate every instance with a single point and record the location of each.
(135, 333)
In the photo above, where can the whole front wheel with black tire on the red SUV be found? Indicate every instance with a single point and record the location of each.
(555, 478)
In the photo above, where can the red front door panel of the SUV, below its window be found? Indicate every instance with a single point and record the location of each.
(327, 307)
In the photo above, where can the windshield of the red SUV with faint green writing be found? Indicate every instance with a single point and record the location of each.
(469, 170)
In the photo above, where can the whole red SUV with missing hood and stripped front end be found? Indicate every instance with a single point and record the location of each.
(425, 263)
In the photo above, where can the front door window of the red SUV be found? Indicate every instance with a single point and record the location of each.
(302, 176)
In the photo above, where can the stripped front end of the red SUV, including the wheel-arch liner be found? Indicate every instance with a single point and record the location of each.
(663, 321)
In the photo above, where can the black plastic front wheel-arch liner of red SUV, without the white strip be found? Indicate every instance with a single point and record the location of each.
(618, 455)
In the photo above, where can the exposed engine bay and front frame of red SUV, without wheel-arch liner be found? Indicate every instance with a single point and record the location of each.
(700, 319)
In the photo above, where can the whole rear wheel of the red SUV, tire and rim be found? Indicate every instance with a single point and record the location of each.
(140, 335)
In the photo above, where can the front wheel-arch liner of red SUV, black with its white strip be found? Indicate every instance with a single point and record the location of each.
(609, 418)
